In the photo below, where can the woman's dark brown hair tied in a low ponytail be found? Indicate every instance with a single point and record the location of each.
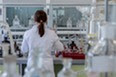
(40, 17)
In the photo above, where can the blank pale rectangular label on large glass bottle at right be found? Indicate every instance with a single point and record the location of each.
(103, 63)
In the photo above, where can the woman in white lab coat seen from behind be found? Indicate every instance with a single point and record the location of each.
(39, 36)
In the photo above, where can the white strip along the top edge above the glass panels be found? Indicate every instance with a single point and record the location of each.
(53, 1)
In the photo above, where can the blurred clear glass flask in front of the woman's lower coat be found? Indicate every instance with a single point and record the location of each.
(35, 66)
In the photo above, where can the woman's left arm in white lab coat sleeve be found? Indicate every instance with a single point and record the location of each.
(24, 46)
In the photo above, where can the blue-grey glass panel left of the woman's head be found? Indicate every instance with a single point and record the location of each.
(23, 14)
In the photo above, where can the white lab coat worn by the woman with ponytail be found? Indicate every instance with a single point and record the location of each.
(49, 41)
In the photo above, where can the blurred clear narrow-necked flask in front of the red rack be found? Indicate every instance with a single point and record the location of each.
(67, 71)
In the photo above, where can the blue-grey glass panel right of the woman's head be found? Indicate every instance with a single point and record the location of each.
(62, 14)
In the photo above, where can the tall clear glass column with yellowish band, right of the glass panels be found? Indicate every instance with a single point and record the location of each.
(94, 24)
